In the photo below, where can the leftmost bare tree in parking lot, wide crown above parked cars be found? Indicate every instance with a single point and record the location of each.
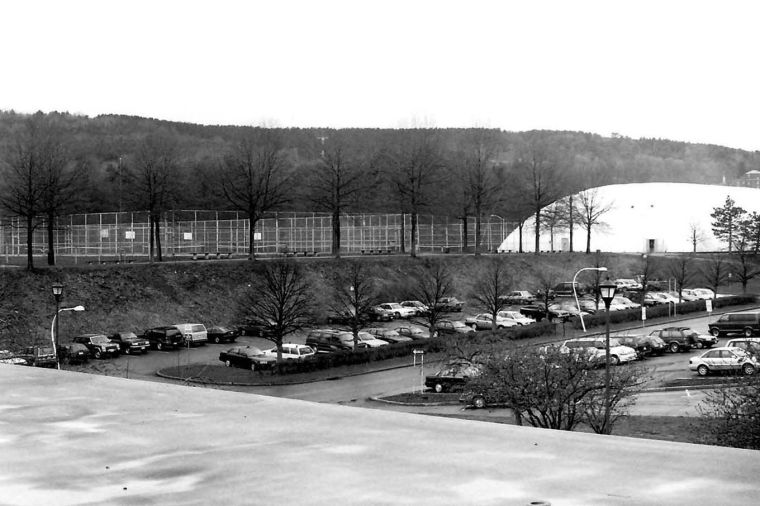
(280, 301)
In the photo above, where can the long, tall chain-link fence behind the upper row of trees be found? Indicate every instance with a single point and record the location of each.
(225, 233)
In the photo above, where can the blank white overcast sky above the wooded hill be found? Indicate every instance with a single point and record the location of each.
(681, 70)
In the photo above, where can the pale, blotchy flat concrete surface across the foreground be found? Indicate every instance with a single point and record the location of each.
(70, 438)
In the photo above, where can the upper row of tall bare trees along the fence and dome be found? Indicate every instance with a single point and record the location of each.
(471, 174)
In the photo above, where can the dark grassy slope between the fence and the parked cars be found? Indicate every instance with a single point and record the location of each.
(139, 296)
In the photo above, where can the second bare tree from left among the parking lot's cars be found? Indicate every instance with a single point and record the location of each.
(354, 294)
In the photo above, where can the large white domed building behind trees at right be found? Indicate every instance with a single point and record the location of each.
(645, 218)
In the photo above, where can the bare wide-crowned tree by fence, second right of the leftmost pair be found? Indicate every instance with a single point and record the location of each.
(255, 177)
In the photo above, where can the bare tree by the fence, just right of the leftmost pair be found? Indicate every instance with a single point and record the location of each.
(150, 176)
